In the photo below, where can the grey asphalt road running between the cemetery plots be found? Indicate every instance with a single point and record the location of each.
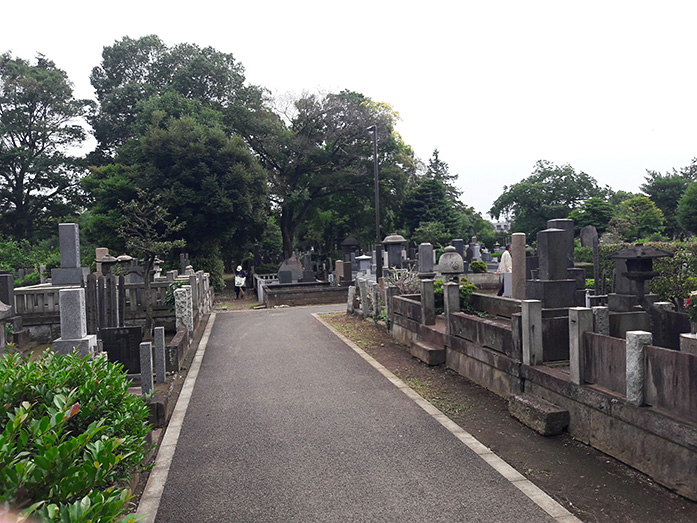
(286, 422)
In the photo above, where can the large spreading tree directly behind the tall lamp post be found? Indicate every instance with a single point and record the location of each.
(319, 152)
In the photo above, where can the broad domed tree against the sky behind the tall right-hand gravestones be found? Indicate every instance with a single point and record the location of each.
(550, 192)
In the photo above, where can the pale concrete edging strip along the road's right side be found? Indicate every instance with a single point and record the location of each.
(527, 487)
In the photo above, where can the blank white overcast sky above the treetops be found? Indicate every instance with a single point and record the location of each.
(606, 86)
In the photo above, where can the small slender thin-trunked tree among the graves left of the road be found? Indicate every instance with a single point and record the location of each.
(147, 232)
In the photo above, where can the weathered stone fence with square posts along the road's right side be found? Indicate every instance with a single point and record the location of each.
(630, 399)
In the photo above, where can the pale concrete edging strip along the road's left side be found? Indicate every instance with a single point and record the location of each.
(150, 500)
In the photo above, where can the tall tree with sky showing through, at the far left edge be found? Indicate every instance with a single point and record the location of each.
(39, 123)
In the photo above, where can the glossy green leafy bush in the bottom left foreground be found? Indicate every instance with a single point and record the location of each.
(72, 435)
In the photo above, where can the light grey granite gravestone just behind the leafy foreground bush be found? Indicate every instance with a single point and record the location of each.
(74, 335)
